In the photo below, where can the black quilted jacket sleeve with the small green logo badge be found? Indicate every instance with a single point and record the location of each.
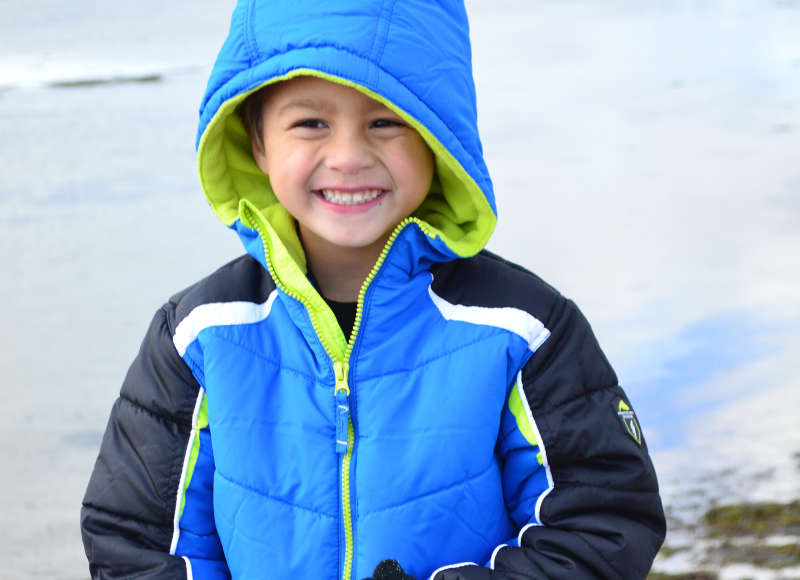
(601, 516)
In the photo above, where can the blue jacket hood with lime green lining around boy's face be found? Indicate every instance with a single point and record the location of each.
(413, 56)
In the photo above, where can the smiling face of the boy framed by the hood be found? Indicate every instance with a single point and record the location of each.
(346, 167)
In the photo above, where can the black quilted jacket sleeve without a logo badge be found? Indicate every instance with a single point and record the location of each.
(128, 514)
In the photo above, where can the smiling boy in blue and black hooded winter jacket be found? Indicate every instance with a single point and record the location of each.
(367, 391)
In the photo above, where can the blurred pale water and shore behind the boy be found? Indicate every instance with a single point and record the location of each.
(646, 160)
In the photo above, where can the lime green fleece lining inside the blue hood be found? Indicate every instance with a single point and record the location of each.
(455, 209)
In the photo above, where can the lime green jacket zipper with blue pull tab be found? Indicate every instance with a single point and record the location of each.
(345, 432)
